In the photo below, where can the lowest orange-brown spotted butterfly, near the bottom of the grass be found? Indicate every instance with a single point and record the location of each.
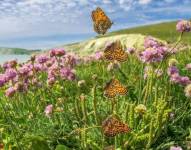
(112, 126)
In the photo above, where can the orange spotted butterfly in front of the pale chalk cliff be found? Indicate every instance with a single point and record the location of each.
(115, 51)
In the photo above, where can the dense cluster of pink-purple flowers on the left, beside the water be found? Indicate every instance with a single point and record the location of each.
(18, 77)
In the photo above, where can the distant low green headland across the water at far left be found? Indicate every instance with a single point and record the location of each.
(16, 51)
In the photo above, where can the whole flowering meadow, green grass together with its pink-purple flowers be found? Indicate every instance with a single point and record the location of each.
(58, 101)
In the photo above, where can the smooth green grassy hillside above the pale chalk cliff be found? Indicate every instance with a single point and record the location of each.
(165, 31)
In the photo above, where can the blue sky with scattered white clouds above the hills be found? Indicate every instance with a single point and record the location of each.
(48, 23)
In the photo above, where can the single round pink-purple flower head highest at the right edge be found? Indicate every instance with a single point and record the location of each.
(183, 26)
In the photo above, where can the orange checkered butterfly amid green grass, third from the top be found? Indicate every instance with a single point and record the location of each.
(113, 88)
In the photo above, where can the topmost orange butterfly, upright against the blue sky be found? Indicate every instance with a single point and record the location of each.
(101, 22)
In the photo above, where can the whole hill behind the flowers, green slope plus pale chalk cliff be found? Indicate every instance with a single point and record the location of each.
(130, 37)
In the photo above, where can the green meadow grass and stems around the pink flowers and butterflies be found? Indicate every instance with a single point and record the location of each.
(23, 123)
